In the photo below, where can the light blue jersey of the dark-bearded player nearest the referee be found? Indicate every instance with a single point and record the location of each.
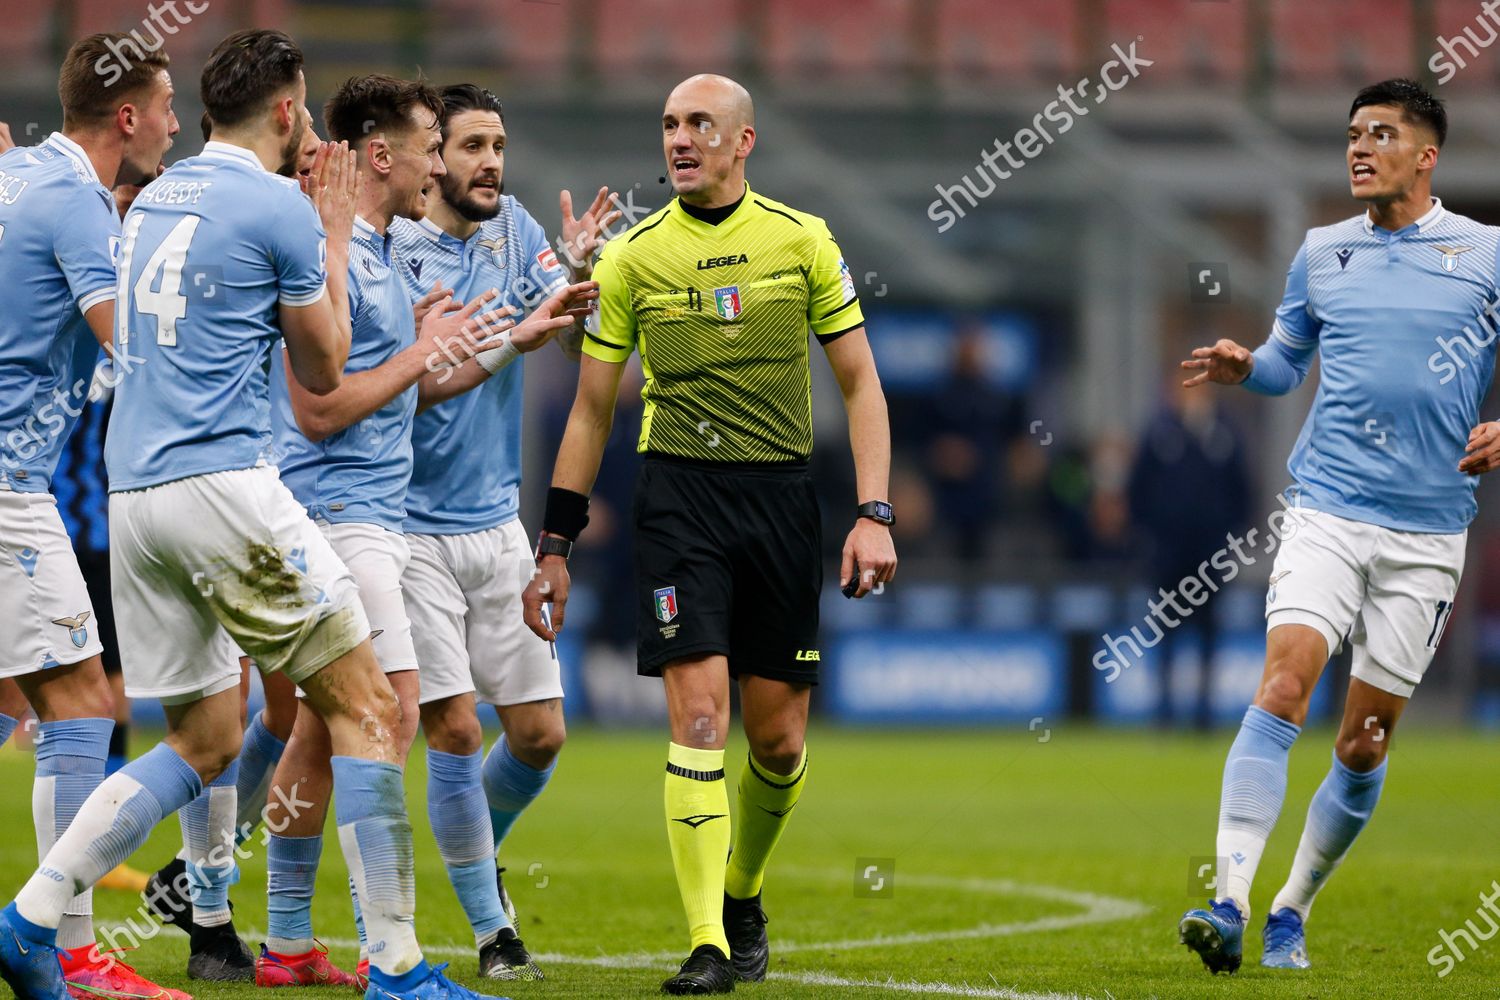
(467, 470)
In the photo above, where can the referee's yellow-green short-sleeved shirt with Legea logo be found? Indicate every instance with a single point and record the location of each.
(721, 317)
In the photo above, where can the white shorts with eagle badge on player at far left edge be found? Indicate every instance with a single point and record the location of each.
(46, 615)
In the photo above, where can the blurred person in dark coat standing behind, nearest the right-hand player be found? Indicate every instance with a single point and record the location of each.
(1189, 490)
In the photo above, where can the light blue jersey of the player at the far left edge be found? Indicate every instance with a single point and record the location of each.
(59, 233)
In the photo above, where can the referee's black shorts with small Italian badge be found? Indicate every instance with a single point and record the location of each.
(730, 561)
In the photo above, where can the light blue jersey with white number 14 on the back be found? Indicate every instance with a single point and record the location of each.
(212, 250)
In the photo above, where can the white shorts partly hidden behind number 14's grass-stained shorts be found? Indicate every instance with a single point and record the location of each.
(377, 558)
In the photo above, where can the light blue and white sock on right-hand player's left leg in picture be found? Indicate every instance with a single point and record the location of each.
(1255, 788)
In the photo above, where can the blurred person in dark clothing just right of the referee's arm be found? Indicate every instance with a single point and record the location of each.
(968, 430)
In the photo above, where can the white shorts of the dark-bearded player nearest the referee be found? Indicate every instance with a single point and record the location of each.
(464, 599)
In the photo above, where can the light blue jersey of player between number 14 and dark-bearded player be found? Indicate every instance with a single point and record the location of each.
(361, 473)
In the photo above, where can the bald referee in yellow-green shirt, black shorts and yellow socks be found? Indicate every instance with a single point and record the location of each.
(718, 293)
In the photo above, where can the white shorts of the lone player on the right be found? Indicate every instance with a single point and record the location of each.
(1390, 593)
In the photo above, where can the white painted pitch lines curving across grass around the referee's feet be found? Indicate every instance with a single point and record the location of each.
(1099, 909)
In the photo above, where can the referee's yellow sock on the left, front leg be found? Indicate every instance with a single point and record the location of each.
(698, 831)
